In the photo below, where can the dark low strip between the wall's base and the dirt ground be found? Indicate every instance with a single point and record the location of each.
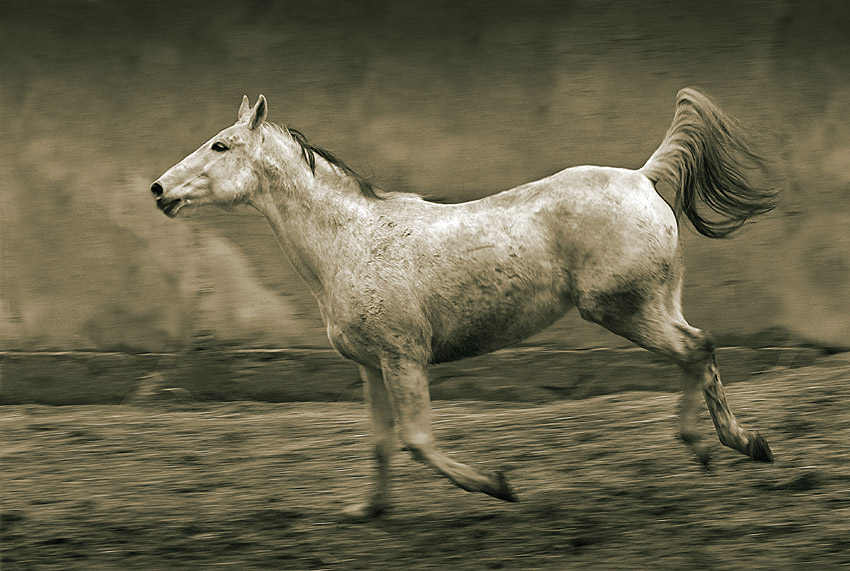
(520, 374)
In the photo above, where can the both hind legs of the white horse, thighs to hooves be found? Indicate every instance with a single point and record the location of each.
(650, 316)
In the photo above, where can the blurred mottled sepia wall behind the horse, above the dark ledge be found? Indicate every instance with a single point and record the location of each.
(452, 99)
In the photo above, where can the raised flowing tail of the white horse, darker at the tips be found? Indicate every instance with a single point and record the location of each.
(703, 156)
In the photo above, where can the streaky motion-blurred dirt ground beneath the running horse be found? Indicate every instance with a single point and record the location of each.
(602, 482)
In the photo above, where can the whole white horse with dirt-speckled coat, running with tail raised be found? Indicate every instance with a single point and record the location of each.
(402, 282)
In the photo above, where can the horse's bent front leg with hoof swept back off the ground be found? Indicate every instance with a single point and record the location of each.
(408, 386)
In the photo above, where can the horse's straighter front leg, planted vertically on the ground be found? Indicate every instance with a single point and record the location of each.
(383, 427)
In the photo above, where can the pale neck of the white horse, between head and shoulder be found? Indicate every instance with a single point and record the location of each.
(315, 217)
